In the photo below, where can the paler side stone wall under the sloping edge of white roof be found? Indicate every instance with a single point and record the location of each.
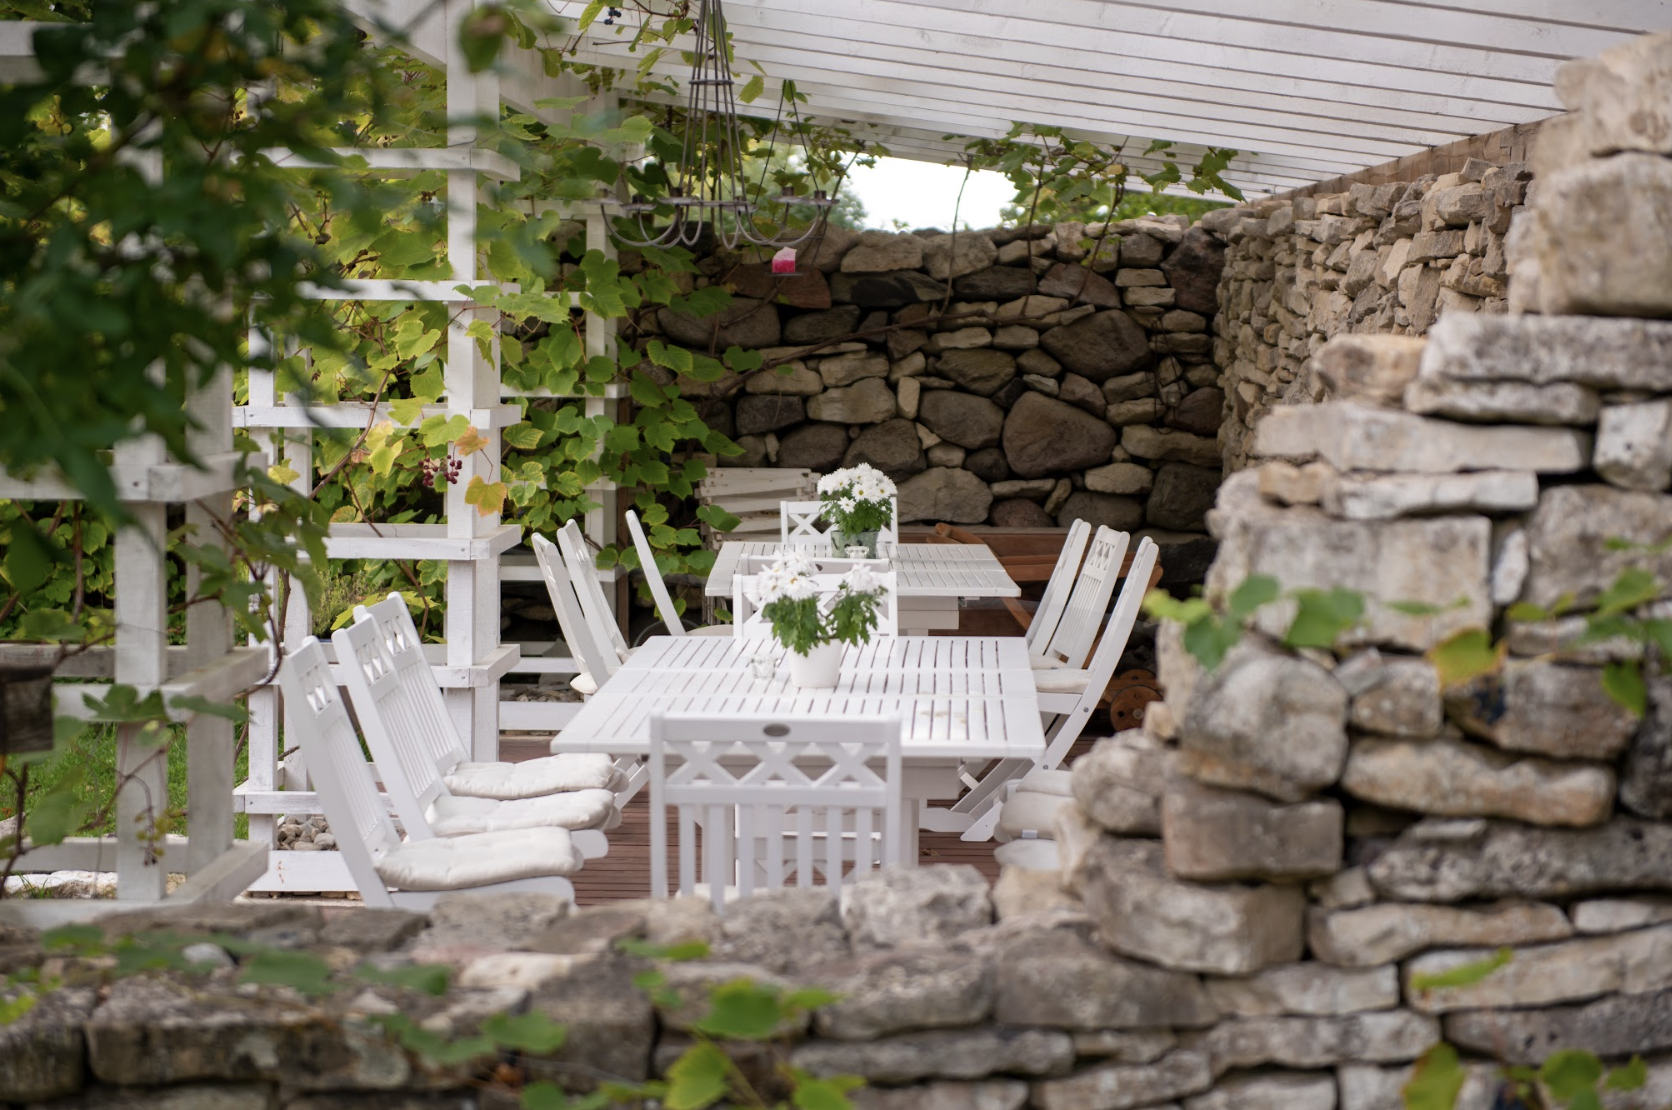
(1377, 260)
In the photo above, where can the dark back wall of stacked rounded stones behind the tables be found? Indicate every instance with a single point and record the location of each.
(1012, 377)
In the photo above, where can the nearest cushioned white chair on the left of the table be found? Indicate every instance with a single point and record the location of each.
(389, 872)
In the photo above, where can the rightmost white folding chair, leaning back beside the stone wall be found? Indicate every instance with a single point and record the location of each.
(1069, 696)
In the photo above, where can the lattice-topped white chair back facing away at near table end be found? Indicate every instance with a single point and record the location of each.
(758, 785)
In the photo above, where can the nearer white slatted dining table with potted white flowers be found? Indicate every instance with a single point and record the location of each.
(959, 700)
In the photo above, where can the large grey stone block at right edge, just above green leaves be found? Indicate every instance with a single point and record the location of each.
(1569, 541)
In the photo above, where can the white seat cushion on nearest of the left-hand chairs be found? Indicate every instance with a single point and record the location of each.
(466, 862)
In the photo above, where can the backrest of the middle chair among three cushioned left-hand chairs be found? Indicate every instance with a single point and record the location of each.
(395, 725)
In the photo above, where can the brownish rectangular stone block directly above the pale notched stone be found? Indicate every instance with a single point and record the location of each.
(1226, 835)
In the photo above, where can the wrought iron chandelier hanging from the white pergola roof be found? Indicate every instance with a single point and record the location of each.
(708, 193)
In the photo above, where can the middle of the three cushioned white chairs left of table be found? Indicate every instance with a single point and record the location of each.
(399, 725)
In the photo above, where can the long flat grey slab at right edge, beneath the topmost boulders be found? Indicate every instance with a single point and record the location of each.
(1544, 350)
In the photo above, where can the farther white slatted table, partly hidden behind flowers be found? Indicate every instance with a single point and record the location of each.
(932, 578)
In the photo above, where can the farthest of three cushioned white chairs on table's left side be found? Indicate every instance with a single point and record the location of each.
(502, 782)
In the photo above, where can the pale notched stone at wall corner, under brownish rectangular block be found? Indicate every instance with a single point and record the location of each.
(1218, 929)
